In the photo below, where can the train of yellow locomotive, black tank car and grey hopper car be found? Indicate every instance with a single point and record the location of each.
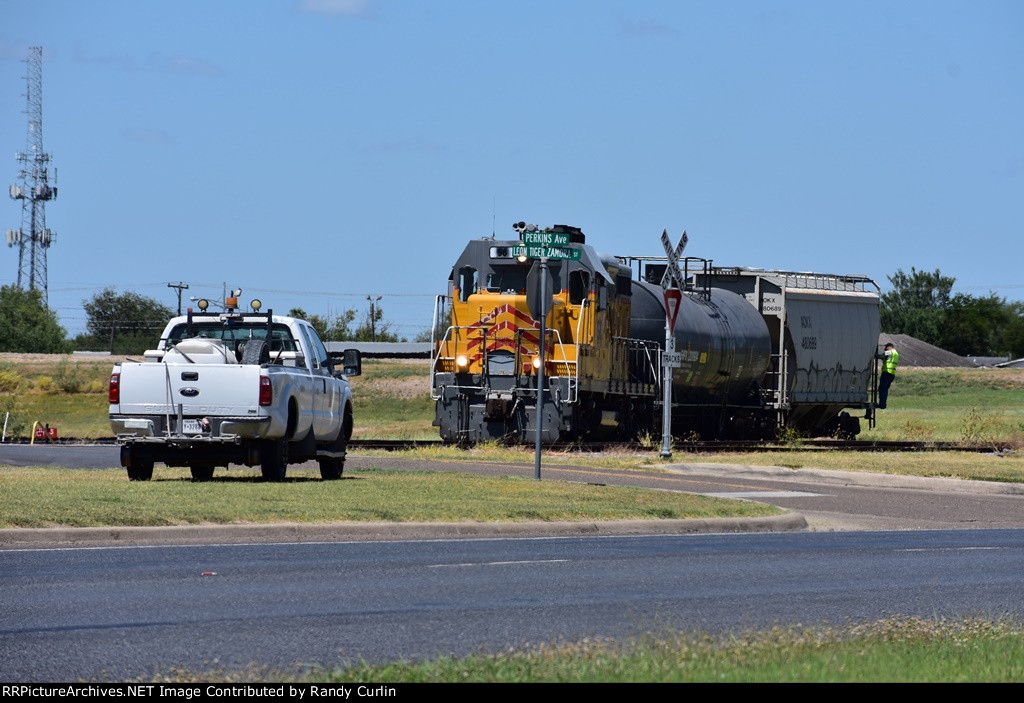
(761, 351)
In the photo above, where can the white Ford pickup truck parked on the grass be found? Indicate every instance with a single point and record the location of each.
(235, 388)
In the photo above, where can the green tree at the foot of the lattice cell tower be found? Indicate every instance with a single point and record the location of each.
(27, 325)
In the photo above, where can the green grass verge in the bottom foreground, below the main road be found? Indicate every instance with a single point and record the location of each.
(898, 649)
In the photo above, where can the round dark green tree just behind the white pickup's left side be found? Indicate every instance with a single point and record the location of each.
(124, 324)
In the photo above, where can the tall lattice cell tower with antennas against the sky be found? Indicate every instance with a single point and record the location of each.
(33, 239)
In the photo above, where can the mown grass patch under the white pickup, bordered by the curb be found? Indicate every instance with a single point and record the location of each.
(47, 498)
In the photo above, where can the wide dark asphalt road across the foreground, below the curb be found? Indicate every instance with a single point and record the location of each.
(129, 612)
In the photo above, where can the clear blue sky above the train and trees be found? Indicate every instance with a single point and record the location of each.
(316, 152)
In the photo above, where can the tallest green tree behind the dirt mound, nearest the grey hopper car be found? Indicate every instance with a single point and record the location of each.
(917, 304)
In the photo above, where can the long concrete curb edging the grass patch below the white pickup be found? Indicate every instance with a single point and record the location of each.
(59, 538)
